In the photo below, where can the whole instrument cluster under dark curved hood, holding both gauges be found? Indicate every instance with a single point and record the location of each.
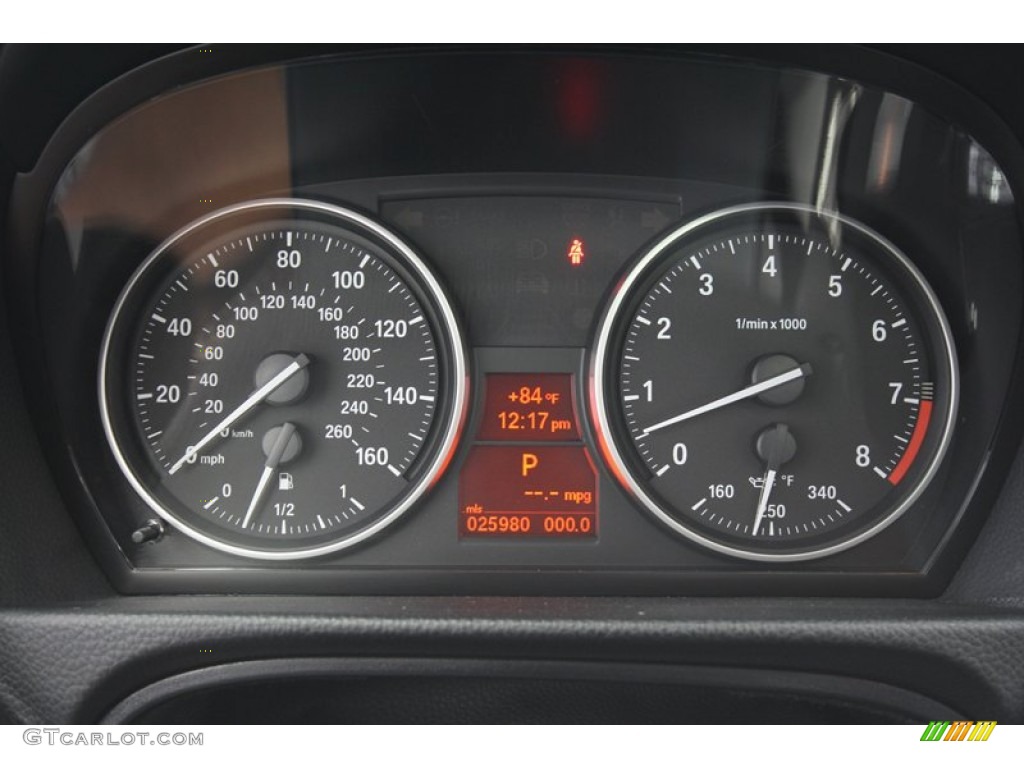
(334, 352)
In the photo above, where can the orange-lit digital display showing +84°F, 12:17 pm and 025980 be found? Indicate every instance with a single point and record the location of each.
(529, 474)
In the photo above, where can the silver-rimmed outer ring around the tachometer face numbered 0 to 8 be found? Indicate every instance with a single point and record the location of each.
(649, 269)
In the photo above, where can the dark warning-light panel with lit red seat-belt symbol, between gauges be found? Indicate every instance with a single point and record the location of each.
(530, 269)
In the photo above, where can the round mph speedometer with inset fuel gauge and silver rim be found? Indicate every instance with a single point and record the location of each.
(283, 379)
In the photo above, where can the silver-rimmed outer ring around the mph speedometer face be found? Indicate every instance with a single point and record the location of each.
(187, 245)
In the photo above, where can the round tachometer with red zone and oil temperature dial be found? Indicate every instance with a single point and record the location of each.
(774, 383)
